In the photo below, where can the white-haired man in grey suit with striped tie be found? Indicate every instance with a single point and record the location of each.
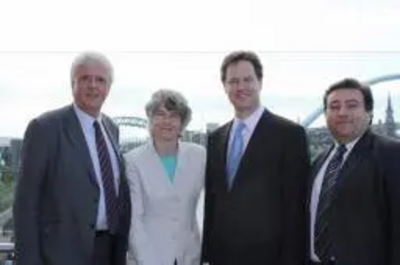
(72, 201)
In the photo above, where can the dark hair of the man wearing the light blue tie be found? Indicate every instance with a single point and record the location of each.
(237, 56)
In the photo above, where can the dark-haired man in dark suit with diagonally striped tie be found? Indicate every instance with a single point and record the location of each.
(354, 195)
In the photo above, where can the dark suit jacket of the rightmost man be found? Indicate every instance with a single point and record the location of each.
(364, 216)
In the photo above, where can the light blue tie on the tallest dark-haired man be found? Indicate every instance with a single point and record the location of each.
(235, 153)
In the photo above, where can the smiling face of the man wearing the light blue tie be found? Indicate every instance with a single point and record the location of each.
(242, 87)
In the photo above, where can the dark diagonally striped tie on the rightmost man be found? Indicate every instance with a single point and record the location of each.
(322, 237)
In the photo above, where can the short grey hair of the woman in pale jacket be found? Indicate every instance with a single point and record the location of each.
(173, 101)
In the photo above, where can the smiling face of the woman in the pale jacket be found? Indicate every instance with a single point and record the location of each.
(165, 125)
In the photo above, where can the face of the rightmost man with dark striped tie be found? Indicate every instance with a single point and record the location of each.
(346, 115)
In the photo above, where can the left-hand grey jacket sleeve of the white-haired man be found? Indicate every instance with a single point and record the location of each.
(35, 159)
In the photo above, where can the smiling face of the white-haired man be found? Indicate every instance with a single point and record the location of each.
(90, 86)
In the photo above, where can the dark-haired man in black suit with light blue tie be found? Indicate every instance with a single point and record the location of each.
(257, 166)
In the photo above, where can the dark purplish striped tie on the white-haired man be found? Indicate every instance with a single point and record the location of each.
(107, 177)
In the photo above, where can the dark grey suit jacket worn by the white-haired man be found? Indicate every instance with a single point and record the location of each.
(56, 200)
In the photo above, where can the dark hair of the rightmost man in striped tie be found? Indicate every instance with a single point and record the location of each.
(351, 83)
